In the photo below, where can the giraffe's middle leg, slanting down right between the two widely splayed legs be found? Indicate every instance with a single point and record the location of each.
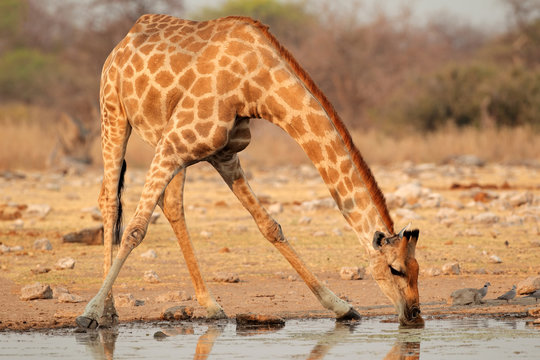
(173, 208)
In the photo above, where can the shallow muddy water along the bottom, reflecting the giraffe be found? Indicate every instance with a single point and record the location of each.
(480, 338)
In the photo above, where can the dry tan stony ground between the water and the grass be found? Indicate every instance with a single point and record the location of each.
(446, 209)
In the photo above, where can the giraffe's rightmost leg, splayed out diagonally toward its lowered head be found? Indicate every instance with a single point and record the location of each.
(231, 171)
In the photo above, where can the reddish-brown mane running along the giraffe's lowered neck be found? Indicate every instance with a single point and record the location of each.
(365, 172)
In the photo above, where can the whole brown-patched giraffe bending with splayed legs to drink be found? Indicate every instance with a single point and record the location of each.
(190, 89)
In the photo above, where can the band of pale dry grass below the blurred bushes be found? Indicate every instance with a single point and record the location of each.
(28, 138)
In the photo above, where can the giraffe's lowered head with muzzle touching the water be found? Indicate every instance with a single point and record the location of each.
(395, 269)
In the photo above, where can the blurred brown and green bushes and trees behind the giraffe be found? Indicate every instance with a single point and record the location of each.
(387, 76)
